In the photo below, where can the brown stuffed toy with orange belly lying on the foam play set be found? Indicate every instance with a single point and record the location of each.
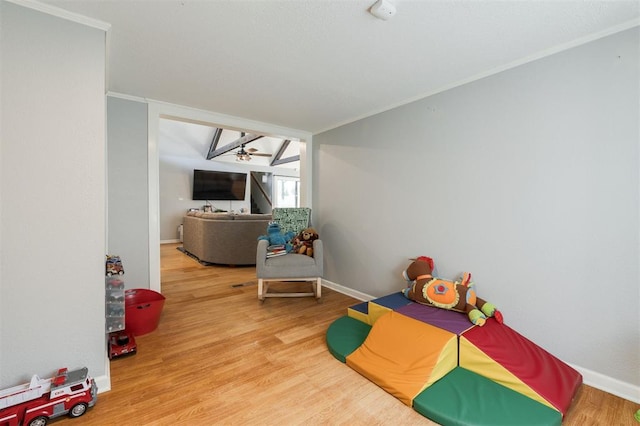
(459, 295)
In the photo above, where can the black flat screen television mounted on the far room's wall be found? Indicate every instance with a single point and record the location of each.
(214, 185)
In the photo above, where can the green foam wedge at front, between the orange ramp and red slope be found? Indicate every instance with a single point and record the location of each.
(463, 397)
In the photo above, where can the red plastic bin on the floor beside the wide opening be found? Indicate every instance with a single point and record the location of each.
(142, 310)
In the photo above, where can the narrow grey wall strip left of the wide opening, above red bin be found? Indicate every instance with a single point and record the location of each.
(128, 201)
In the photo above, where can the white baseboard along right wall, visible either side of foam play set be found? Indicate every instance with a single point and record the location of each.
(597, 380)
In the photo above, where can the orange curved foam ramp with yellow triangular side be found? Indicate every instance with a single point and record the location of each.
(405, 356)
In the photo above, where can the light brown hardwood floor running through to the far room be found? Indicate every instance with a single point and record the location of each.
(219, 356)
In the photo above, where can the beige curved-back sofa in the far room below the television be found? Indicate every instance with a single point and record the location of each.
(222, 238)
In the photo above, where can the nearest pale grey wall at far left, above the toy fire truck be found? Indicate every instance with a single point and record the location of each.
(52, 193)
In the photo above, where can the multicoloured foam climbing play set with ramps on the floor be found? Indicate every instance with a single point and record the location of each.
(447, 366)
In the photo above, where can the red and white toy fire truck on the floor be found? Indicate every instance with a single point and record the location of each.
(34, 403)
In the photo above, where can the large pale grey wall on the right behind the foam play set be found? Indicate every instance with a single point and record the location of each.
(528, 179)
